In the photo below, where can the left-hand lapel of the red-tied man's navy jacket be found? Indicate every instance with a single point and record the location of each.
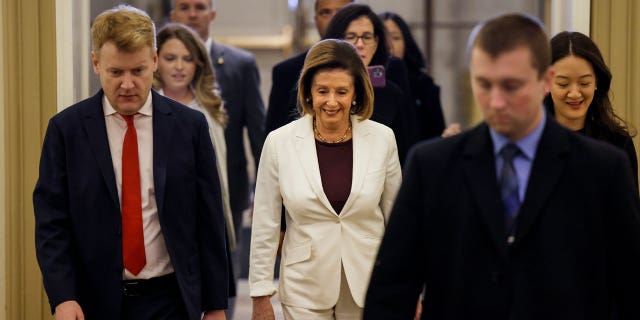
(96, 129)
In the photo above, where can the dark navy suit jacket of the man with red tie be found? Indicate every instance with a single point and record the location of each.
(78, 217)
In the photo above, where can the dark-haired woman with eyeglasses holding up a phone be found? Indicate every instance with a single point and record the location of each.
(359, 25)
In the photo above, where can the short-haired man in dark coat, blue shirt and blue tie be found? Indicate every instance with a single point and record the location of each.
(545, 228)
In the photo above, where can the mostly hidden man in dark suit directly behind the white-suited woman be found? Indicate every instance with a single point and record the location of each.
(285, 74)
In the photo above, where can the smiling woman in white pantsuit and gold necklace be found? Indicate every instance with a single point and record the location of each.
(337, 175)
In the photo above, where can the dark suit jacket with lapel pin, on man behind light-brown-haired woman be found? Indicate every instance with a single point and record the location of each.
(239, 80)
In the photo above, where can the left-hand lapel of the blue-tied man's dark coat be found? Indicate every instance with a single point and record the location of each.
(479, 167)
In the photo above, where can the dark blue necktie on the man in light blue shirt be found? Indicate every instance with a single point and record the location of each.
(509, 185)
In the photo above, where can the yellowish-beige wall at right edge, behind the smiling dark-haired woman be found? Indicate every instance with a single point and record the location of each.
(616, 29)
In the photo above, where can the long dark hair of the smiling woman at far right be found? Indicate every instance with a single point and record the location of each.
(601, 122)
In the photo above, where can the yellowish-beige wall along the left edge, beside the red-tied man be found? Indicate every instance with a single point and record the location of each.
(29, 83)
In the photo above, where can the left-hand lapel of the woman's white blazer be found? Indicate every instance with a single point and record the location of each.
(305, 147)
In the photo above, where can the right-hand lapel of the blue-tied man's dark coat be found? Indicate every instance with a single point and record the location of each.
(546, 170)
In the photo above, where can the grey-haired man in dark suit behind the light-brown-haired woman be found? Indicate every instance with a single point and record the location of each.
(239, 82)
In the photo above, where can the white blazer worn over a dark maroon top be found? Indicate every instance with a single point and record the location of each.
(318, 241)
